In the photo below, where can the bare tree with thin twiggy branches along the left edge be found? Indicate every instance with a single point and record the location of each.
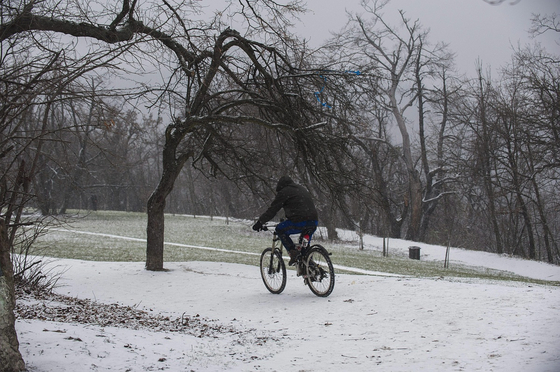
(33, 78)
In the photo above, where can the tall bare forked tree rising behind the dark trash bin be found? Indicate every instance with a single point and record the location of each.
(400, 61)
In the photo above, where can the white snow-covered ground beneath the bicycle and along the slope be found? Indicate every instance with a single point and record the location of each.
(369, 323)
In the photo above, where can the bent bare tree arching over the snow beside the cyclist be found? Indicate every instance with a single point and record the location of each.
(222, 78)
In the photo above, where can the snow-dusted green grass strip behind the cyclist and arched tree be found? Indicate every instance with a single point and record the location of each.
(233, 235)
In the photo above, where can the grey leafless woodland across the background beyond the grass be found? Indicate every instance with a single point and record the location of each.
(104, 107)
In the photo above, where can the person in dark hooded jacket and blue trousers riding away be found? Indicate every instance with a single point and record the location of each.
(300, 212)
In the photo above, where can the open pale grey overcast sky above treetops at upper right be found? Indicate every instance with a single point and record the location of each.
(473, 29)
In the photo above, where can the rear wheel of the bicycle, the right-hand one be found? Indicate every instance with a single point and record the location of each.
(320, 272)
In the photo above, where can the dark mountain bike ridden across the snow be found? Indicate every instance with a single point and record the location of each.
(313, 264)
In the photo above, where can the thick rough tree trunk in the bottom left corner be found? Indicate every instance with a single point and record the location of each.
(10, 357)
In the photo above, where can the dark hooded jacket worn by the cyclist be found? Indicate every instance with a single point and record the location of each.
(296, 201)
